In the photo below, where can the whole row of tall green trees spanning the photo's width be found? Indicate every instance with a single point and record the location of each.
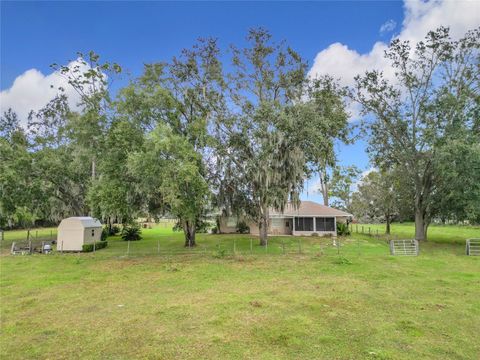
(190, 137)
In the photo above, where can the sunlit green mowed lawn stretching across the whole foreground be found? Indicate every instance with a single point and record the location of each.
(302, 298)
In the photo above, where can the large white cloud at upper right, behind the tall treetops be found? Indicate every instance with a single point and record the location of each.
(420, 17)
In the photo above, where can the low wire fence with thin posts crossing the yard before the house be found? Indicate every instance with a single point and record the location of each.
(159, 240)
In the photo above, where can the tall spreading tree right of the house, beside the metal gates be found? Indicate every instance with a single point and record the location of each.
(432, 101)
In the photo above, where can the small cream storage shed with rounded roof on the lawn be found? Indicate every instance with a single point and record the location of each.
(73, 232)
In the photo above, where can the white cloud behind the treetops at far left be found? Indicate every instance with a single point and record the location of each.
(32, 90)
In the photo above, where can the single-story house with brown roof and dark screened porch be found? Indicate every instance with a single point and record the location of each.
(309, 218)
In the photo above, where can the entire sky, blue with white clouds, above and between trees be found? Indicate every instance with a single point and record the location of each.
(36, 34)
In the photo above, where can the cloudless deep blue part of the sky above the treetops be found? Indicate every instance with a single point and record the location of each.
(35, 34)
